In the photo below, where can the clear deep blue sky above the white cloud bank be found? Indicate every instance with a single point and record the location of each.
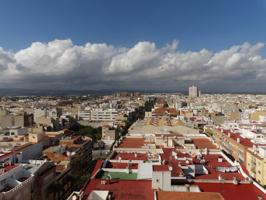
(195, 24)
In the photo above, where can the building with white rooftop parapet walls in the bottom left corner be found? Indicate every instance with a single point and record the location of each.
(20, 181)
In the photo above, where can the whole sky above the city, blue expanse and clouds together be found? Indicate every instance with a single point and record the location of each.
(137, 45)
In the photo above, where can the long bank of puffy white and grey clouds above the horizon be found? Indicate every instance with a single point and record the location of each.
(62, 64)
